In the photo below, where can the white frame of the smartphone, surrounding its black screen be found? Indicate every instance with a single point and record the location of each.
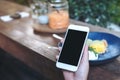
(68, 66)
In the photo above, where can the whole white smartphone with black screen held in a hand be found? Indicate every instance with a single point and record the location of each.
(72, 48)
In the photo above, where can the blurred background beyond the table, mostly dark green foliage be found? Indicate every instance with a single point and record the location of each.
(104, 13)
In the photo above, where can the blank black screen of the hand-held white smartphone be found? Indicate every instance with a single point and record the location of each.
(72, 48)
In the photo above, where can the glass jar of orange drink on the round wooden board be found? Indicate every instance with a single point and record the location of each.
(58, 14)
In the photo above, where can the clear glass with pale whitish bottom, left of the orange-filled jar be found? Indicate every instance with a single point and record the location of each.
(39, 11)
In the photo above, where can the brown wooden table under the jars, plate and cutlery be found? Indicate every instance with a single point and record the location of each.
(19, 39)
